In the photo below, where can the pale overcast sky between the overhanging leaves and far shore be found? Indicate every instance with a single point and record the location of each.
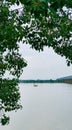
(43, 65)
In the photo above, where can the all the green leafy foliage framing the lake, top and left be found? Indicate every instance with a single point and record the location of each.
(40, 23)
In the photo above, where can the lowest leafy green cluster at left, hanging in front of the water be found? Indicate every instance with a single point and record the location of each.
(9, 98)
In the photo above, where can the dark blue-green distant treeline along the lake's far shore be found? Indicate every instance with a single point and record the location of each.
(41, 81)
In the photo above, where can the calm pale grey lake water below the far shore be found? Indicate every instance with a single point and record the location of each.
(46, 107)
